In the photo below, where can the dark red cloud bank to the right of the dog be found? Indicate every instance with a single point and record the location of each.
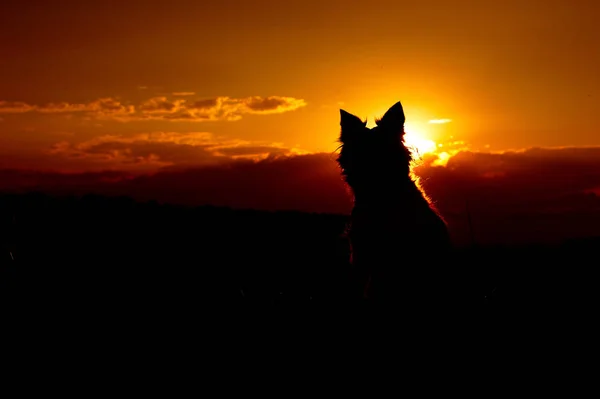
(519, 196)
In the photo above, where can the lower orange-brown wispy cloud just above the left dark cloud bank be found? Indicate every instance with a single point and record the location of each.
(161, 149)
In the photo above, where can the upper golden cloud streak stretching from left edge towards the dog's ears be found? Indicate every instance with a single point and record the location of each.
(164, 108)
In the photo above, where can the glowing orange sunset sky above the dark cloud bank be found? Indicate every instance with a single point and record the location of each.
(91, 85)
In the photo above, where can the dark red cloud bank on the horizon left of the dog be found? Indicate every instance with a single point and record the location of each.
(304, 182)
